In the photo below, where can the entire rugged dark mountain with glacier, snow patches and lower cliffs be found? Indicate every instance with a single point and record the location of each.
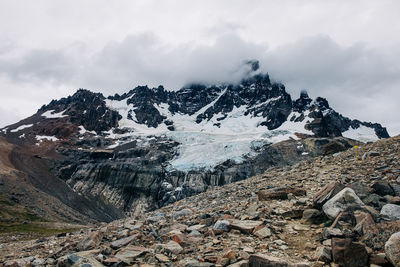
(108, 156)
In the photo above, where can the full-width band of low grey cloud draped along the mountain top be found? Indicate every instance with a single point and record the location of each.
(359, 81)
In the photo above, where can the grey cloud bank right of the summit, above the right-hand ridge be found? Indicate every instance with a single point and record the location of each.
(358, 81)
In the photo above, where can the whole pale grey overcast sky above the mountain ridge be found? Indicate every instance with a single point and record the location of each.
(346, 51)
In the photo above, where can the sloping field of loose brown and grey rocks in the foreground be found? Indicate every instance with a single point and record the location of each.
(327, 211)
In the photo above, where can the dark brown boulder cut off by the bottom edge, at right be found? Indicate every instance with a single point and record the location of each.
(349, 254)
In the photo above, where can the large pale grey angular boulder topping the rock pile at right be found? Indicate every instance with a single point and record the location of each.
(342, 200)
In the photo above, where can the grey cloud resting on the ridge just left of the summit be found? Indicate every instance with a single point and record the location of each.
(144, 59)
